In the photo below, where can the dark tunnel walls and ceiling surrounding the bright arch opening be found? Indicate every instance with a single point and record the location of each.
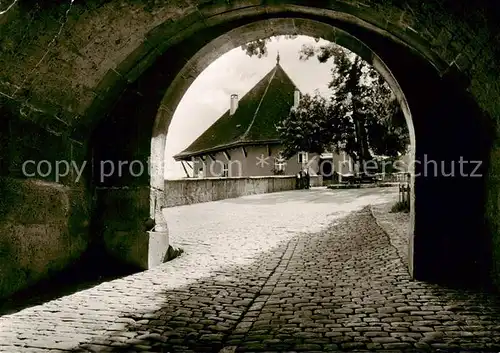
(117, 107)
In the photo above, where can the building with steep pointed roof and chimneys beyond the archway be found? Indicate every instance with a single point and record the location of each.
(244, 140)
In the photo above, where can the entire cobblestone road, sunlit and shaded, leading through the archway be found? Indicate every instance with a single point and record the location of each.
(336, 287)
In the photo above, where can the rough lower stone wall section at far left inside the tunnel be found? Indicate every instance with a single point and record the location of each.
(43, 229)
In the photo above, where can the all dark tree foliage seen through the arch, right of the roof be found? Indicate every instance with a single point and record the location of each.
(362, 117)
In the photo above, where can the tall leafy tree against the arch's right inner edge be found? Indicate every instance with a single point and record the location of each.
(358, 91)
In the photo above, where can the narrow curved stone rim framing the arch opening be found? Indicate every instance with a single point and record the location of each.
(239, 36)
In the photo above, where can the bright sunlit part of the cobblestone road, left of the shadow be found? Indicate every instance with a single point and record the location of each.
(214, 235)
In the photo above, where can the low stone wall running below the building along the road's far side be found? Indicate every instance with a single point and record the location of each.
(189, 191)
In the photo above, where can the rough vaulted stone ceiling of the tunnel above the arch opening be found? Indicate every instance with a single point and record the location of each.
(64, 65)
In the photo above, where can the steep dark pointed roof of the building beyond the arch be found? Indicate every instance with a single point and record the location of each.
(254, 121)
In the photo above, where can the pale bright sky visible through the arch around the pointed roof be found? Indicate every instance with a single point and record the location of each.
(208, 97)
